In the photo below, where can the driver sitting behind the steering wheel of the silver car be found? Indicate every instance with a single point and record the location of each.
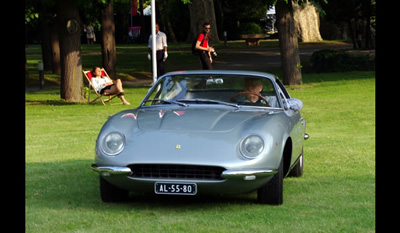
(252, 94)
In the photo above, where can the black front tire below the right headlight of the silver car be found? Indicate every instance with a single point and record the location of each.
(272, 192)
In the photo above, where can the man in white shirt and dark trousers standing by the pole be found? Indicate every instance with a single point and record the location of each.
(161, 50)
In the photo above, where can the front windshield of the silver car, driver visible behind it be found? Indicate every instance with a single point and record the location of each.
(232, 89)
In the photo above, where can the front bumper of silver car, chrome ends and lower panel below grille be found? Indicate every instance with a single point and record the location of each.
(233, 181)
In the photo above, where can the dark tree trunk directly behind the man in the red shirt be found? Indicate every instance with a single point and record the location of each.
(202, 11)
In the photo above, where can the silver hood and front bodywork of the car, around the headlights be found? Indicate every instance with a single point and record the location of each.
(198, 135)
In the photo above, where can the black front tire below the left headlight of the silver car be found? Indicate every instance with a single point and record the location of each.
(110, 193)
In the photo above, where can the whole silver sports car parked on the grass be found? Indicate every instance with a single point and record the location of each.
(204, 132)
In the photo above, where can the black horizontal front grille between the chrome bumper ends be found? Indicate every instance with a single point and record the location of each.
(168, 171)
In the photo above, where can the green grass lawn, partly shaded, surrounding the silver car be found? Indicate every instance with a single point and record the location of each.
(336, 193)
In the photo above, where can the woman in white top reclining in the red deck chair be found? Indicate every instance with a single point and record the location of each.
(106, 86)
